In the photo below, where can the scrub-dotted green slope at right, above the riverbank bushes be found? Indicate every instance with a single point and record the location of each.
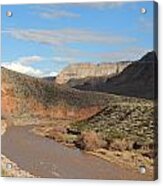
(134, 122)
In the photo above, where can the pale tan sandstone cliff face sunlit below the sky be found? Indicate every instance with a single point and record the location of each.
(83, 70)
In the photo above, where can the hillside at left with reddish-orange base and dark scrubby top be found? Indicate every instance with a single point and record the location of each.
(26, 97)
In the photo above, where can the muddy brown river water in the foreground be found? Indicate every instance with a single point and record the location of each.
(46, 158)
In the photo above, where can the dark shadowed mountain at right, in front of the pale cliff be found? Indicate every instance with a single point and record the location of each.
(139, 79)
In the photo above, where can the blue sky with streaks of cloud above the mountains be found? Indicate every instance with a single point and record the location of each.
(40, 40)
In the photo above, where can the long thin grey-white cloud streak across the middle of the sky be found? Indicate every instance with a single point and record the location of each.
(67, 36)
